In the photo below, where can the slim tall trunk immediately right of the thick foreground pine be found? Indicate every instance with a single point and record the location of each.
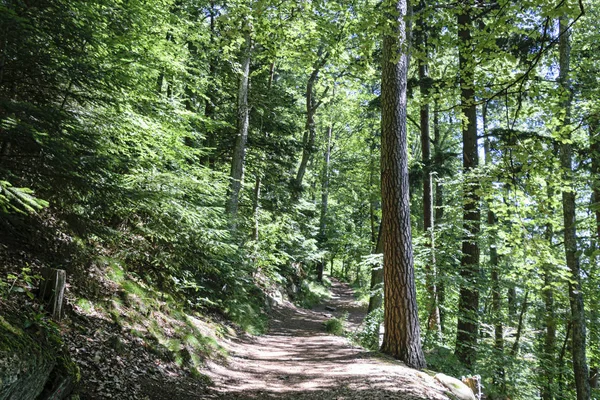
(433, 323)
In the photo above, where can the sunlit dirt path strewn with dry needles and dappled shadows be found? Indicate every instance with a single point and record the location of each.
(297, 359)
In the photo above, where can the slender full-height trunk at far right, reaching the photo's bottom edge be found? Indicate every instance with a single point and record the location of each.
(580, 367)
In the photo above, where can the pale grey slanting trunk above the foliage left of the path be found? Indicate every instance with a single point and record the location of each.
(239, 151)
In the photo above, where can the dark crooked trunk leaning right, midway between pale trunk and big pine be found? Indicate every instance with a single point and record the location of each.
(308, 141)
